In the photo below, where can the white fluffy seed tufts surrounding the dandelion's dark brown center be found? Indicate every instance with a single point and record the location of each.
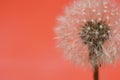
(69, 29)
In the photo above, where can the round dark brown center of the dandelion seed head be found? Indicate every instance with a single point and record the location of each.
(94, 33)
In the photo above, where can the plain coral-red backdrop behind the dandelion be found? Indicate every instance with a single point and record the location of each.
(27, 47)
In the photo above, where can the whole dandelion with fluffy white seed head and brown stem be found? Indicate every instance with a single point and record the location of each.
(89, 32)
